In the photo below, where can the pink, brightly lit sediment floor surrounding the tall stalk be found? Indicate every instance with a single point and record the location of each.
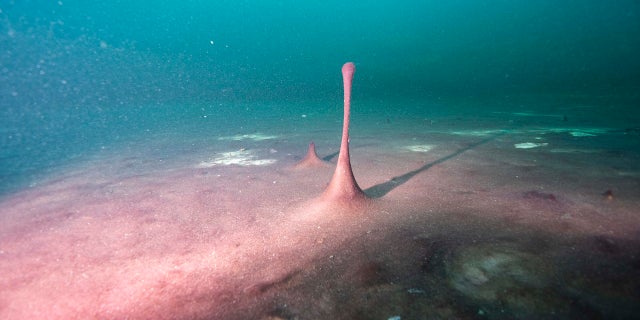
(117, 237)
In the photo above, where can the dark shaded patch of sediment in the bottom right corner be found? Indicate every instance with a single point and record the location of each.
(435, 265)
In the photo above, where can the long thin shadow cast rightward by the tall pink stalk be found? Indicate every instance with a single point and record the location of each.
(380, 190)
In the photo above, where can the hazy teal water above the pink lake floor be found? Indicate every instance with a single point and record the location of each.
(76, 75)
